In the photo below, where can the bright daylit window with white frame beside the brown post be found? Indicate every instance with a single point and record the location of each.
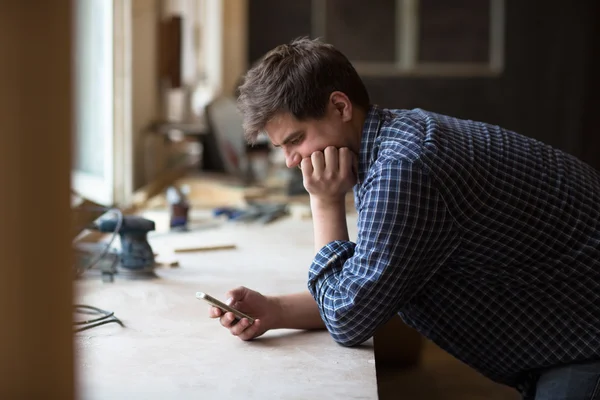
(102, 144)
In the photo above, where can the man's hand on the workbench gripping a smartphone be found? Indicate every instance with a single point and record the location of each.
(264, 310)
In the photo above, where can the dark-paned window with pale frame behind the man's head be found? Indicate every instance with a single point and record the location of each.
(415, 37)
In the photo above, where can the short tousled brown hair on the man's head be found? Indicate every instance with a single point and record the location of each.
(297, 78)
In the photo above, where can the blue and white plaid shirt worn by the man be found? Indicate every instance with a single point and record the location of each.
(485, 241)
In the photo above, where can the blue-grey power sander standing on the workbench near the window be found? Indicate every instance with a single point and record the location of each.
(136, 259)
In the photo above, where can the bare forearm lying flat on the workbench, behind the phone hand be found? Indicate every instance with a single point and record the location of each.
(299, 311)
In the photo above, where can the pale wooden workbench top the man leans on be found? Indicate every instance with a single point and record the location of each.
(170, 349)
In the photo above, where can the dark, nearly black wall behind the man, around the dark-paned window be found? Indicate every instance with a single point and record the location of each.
(548, 89)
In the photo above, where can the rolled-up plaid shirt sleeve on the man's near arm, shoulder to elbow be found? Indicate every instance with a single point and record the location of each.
(404, 234)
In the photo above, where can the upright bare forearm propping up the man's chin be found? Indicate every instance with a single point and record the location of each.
(329, 221)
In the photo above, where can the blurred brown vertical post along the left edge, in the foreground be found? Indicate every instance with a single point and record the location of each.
(36, 344)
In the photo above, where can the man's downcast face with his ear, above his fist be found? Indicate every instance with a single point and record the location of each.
(299, 139)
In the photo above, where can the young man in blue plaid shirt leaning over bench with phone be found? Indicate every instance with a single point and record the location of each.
(485, 241)
